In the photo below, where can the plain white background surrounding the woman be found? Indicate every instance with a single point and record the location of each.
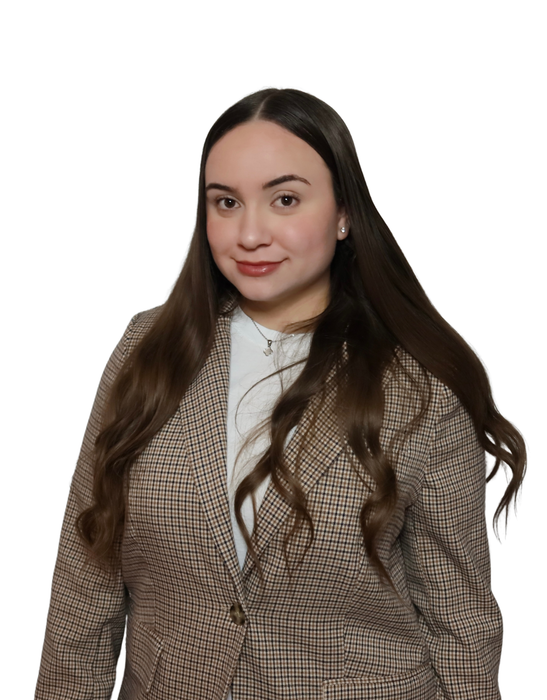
(105, 106)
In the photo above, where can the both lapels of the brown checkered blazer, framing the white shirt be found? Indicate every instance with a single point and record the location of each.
(203, 412)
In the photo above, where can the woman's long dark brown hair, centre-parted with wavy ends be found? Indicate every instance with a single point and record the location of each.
(376, 306)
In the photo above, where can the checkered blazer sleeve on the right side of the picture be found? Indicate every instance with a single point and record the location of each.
(447, 559)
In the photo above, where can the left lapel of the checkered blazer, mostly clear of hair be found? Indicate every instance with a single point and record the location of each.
(202, 413)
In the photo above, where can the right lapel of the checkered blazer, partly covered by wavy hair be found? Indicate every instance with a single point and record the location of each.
(318, 452)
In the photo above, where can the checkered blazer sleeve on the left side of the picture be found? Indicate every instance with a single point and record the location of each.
(86, 618)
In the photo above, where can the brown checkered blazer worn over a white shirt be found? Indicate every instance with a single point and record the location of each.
(197, 624)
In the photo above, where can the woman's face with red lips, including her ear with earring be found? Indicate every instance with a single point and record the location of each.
(272, 221)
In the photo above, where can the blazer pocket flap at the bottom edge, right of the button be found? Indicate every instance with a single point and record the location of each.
(420, 684)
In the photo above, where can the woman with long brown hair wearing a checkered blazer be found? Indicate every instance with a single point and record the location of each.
(282, 479)
